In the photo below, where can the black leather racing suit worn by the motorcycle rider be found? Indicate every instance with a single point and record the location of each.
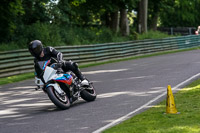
(50, 52)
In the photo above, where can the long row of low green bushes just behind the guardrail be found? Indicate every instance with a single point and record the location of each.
(54, 35)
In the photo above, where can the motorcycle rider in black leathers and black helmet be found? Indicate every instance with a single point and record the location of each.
(42, 54)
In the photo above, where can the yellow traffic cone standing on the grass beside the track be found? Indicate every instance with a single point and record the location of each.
(170, 104)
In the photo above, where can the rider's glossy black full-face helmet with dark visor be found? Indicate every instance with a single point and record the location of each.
(35, 48)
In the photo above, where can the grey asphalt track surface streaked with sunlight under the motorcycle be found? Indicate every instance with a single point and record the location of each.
(121, 87)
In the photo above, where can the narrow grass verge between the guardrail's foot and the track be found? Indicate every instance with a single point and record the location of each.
(21, 77)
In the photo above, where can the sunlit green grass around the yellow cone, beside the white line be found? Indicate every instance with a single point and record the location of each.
(155, 121)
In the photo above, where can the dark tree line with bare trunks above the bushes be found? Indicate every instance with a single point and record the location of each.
(18, 16)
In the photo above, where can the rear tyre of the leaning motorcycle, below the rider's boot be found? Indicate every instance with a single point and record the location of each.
(88, 94)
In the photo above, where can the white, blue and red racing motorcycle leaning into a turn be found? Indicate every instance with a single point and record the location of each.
(62, 88)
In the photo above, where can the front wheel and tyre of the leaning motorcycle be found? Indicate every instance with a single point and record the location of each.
(61, 102)
